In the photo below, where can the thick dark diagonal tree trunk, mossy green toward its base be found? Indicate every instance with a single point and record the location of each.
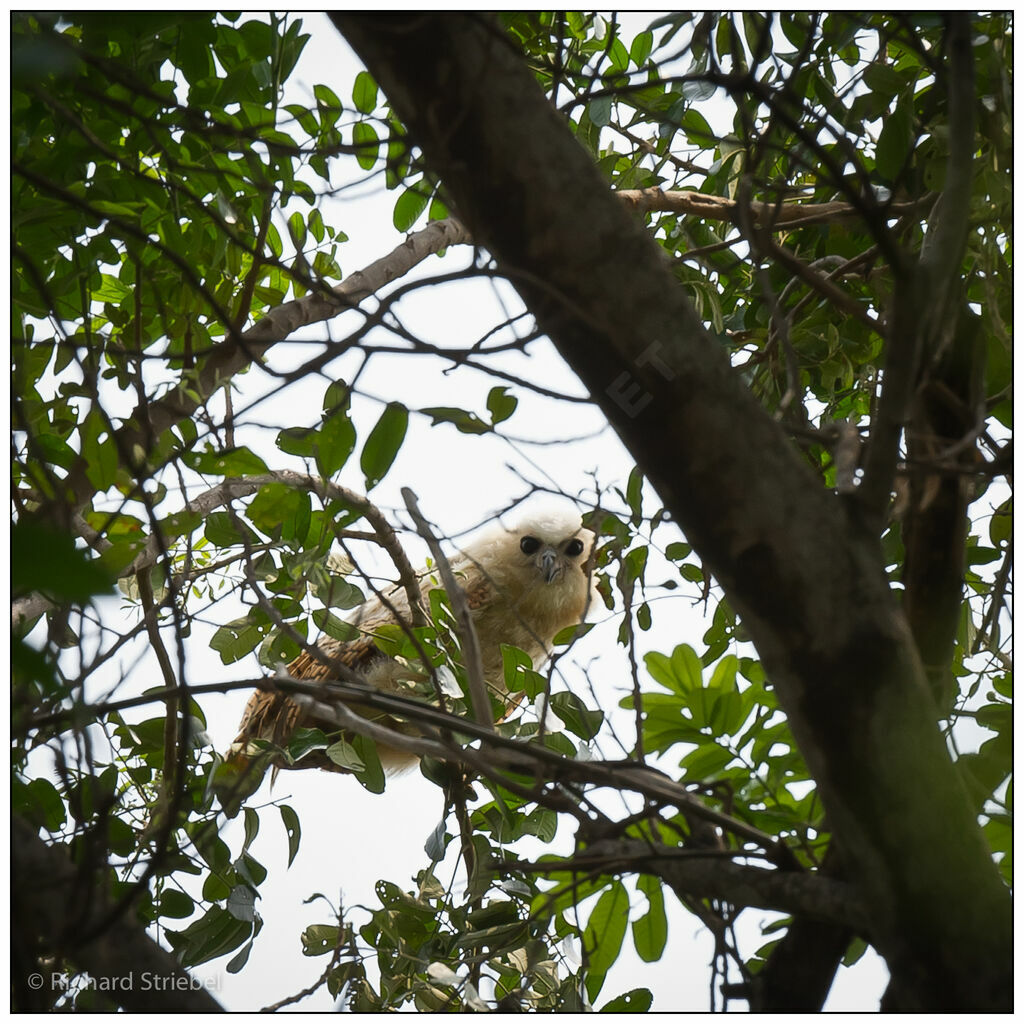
(806, 579)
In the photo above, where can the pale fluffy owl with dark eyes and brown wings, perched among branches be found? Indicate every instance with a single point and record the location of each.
(523, 586)
